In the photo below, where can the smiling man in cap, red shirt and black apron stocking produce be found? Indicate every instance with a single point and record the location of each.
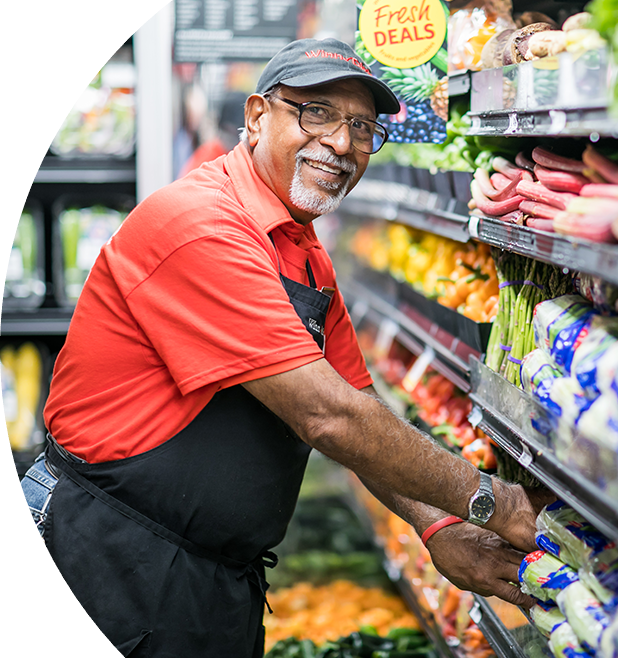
(209, 352)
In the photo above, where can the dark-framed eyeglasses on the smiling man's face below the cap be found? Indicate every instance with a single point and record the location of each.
(322, 120)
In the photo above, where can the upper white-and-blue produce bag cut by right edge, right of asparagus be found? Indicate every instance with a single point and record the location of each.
(602, 334)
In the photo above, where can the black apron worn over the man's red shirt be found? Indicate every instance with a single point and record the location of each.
(162, 554)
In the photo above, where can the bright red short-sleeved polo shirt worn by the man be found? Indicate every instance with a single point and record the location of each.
(183, 301)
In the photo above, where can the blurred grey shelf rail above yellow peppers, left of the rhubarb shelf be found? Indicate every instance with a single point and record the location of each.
(417, 208)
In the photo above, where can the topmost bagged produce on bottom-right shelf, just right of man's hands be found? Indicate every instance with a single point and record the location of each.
(563, 532)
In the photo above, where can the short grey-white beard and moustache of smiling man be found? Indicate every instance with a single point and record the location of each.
(304, 199)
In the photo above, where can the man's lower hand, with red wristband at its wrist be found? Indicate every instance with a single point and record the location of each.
(478, 560)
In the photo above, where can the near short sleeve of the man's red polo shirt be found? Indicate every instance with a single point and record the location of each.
(216, 308)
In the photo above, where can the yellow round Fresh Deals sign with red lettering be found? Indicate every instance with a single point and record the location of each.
(402, 34)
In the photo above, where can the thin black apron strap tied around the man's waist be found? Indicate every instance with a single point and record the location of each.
(53, 453)
